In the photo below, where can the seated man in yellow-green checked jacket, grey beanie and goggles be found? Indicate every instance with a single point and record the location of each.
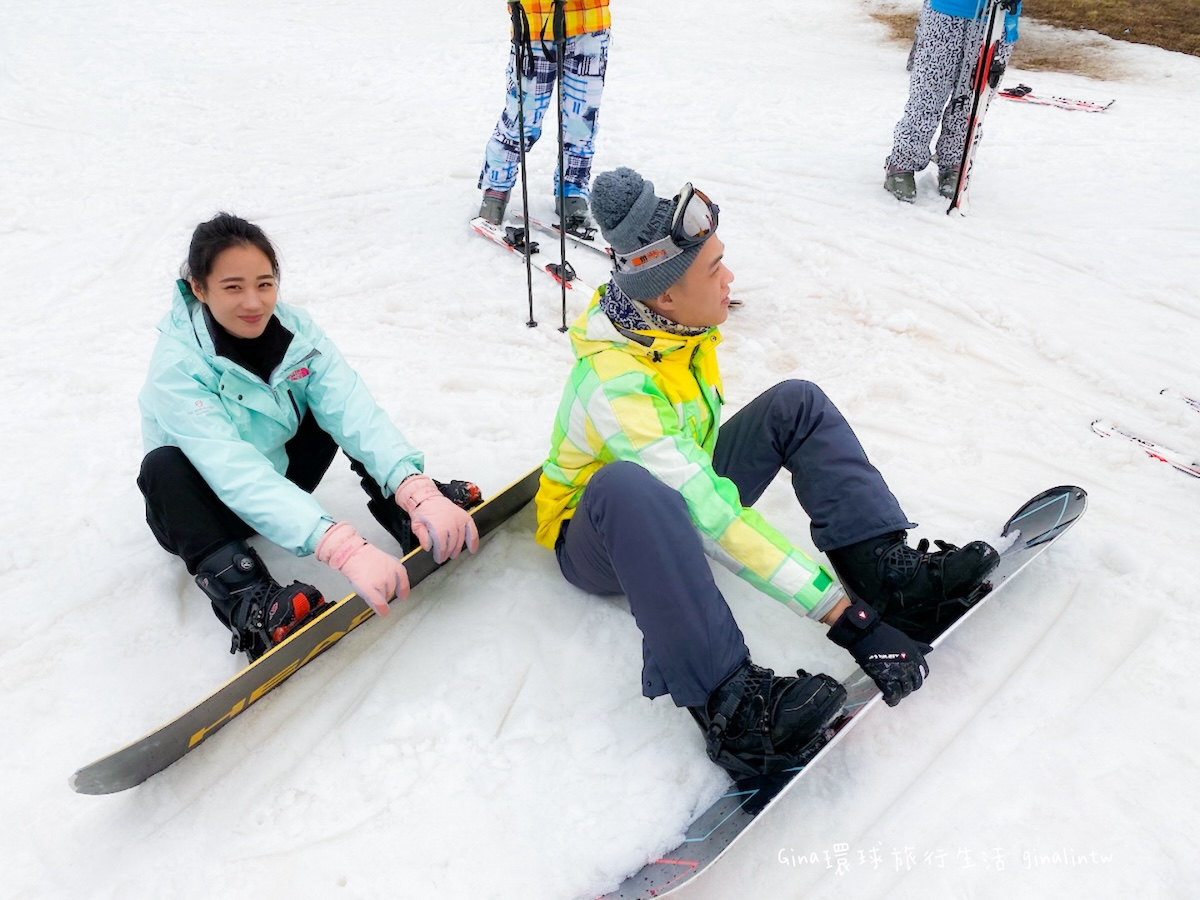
(643, 482)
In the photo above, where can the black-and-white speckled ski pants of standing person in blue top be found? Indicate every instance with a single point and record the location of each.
(939, 92)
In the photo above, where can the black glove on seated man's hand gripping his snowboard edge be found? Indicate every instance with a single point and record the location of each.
(892, 659)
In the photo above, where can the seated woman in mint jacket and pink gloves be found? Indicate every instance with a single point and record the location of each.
(244, 409)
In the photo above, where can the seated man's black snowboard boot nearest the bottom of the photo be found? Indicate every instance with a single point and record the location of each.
(757, 723)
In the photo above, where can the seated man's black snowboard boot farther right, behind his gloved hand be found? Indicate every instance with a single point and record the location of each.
(915, 591)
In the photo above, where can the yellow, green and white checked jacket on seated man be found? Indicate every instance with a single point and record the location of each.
(655, 399)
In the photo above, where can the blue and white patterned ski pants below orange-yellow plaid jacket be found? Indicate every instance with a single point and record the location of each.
(585, 64)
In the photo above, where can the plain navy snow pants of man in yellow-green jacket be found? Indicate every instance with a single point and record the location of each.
(633, 536)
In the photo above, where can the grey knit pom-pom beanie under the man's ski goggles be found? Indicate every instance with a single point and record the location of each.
(631, 217)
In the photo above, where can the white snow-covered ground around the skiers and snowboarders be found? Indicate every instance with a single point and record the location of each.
(491, 742)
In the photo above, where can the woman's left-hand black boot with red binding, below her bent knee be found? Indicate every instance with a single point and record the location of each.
(251, 603)
